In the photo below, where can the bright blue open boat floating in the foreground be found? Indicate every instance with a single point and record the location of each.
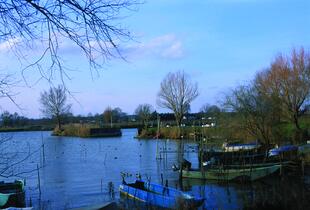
(159, 195)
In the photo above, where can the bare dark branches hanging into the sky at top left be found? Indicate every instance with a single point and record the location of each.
(90, 25)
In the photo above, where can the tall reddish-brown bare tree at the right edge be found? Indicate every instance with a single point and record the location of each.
(289, 79)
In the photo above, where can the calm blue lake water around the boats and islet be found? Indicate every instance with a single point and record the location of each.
(76, 172)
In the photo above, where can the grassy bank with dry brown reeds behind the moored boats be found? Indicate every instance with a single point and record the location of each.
(231, 130)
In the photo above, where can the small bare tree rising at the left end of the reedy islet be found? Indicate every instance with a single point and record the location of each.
(54, 103)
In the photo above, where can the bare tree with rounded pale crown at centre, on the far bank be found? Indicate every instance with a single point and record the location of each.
(176, 93)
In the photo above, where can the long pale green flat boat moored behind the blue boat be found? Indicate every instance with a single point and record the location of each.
(227, 174)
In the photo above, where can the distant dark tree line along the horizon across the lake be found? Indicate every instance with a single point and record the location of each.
(14, 120)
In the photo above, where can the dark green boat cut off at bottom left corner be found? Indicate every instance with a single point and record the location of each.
(12, 194)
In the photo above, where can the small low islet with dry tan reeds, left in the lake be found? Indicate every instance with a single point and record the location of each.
(86, 131)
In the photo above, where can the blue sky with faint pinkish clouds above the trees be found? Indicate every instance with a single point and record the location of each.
(219, 43)
